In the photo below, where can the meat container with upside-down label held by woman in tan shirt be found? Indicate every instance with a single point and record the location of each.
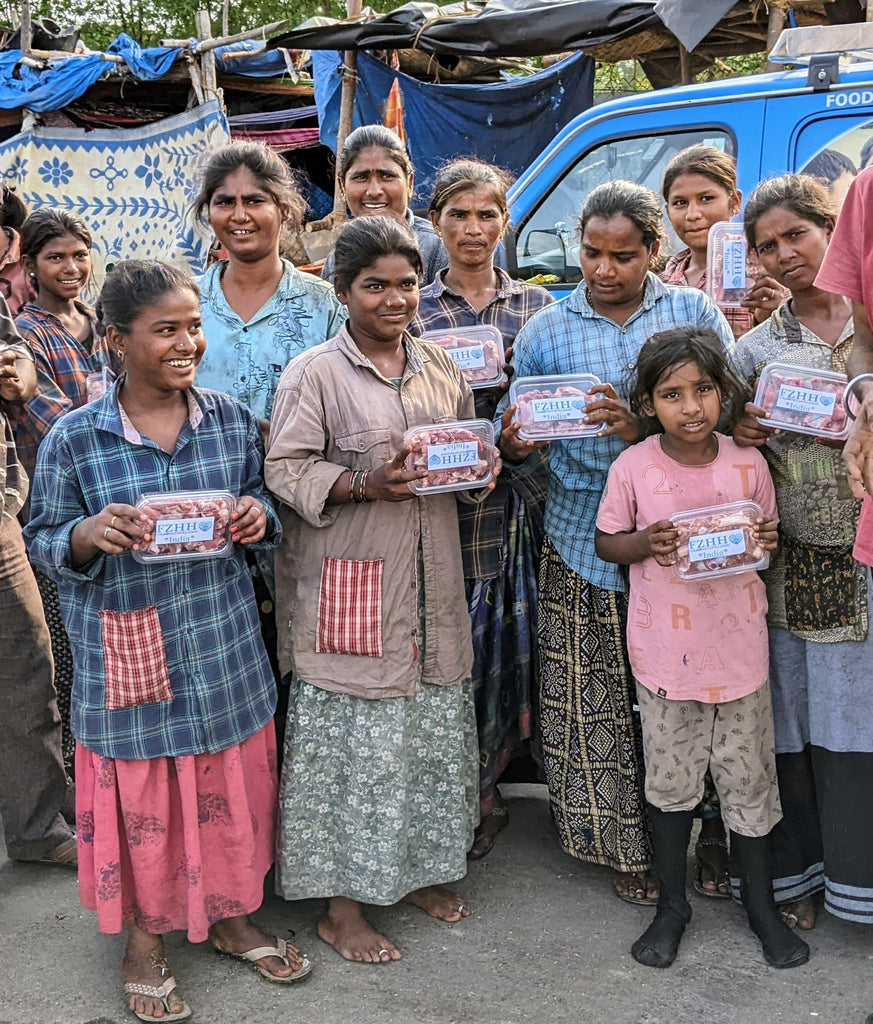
(458, 456)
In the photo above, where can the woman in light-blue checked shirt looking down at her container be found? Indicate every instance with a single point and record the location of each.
(592, 747)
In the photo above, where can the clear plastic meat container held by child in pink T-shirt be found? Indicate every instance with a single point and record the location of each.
(718, 541)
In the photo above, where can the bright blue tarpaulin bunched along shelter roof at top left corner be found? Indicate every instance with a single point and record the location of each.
(66, 78)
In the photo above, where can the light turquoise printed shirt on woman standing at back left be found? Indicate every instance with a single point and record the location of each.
(246, 360)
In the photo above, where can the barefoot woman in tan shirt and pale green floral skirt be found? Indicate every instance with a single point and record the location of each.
(379, 793)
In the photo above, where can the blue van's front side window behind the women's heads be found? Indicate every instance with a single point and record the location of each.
(548, 242)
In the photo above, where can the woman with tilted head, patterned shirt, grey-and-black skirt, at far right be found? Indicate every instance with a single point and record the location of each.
(819, 595)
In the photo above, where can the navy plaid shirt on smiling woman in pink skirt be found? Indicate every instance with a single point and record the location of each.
(223, 687)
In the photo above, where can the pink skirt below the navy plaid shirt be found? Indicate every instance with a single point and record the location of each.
(177, 843)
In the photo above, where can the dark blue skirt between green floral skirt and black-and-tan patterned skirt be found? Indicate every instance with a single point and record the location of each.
(506, 660)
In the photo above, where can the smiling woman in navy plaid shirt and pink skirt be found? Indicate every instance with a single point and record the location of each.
(143, 505)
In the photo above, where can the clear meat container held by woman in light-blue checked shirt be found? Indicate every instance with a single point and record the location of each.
(554, 408)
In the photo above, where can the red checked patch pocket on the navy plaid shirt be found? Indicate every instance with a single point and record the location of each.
(136, 662)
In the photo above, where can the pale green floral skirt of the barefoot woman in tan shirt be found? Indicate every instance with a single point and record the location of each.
(378, 798)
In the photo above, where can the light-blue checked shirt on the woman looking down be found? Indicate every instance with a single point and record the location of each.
(571, 338)
